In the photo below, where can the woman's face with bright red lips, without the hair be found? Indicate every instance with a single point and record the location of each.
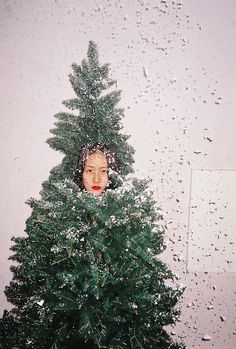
(95, 175)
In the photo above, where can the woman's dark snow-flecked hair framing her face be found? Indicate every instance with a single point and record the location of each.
(88, 149)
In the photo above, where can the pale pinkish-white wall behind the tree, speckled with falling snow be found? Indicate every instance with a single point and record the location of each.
(176, 67)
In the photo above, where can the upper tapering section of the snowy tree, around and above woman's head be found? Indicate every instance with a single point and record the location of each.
(99, 117)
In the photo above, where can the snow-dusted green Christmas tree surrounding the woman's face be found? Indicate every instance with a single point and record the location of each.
(87, 272)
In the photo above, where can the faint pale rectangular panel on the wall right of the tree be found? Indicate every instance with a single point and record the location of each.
(212, 221)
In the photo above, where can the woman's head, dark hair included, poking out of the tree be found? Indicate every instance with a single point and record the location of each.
(95, 164)
